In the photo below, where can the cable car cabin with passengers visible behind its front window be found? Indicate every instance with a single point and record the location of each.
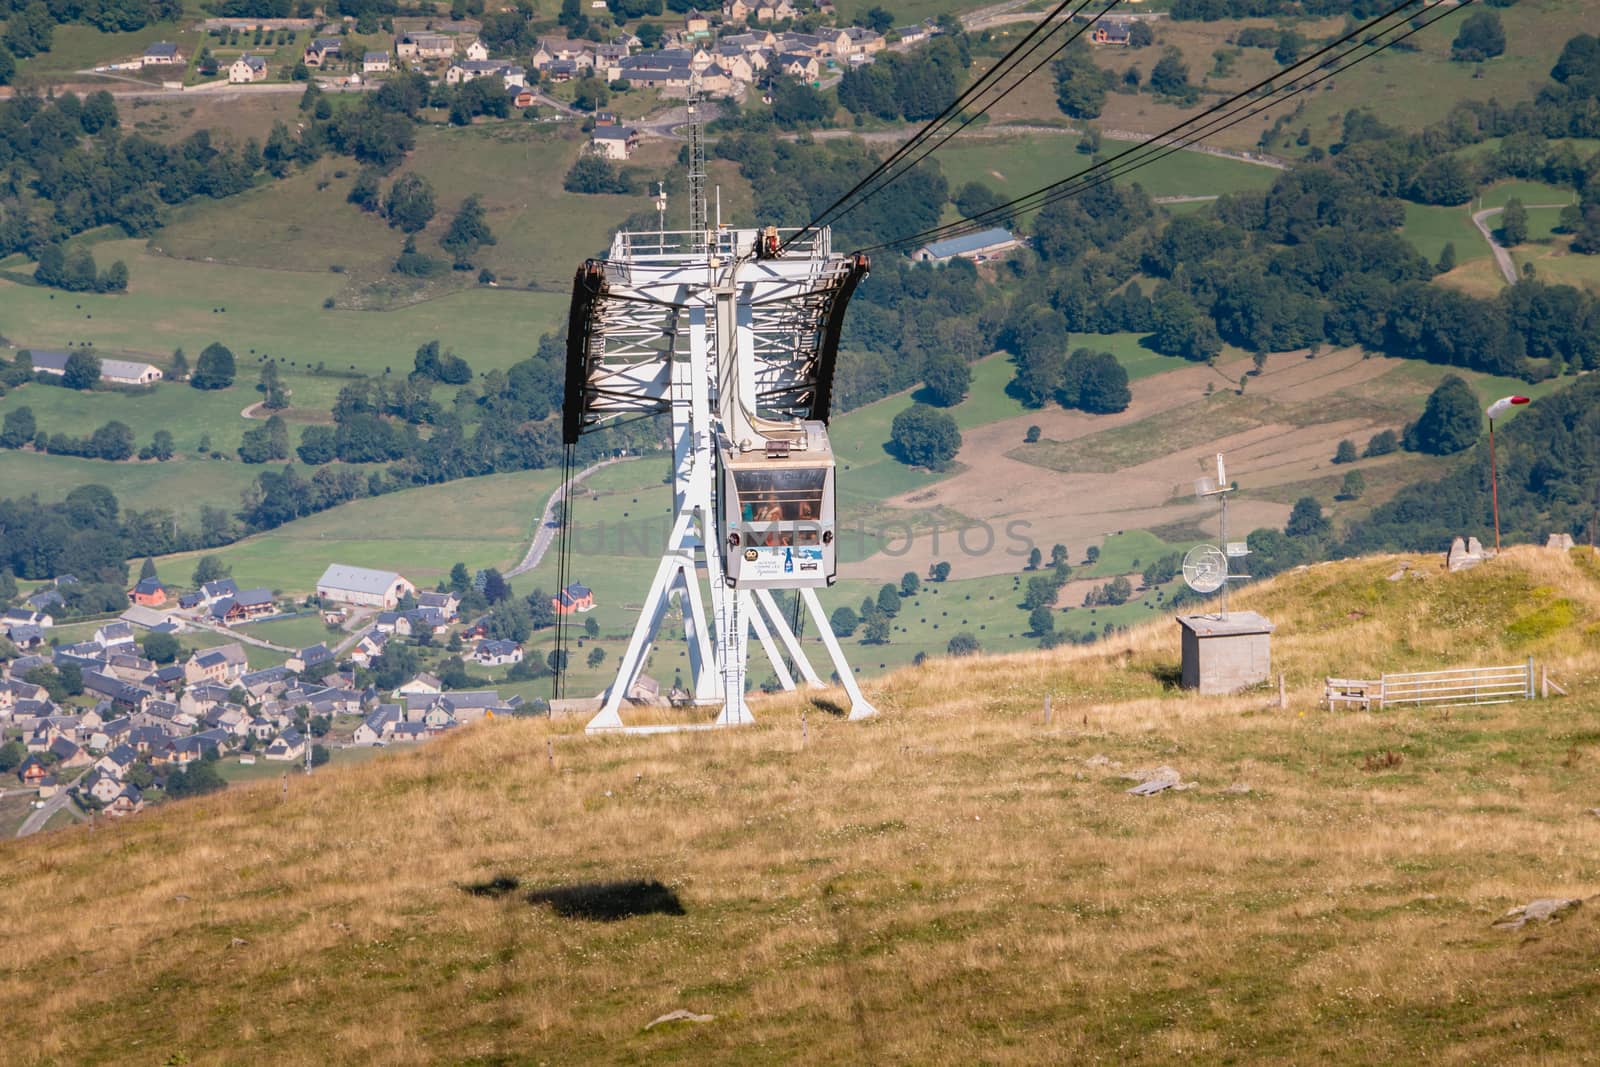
(778, 514)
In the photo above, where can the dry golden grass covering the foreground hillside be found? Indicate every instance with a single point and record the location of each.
(951, 882)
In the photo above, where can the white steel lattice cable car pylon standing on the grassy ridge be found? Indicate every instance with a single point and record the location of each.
(730, 345)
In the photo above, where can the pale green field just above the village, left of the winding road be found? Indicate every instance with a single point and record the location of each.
(422, 533)
